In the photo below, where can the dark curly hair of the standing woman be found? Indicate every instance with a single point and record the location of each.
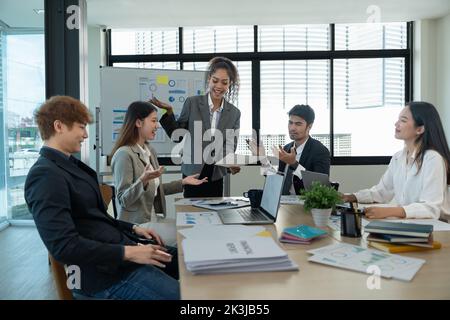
(224, 63)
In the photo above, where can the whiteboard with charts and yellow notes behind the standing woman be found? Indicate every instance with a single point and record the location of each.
(119, 87)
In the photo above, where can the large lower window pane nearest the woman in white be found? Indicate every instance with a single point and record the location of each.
(368, 96)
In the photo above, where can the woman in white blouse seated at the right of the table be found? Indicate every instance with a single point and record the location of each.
(418, 176)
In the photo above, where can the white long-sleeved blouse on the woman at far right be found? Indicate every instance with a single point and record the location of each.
(422, 194)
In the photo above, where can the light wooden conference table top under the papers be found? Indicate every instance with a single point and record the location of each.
(316, 281)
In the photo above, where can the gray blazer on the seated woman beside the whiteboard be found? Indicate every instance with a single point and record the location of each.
(134, 202)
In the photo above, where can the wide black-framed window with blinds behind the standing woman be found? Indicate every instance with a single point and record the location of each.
(368, 92)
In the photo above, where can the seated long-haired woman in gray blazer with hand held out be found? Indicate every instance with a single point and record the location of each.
(137, 174)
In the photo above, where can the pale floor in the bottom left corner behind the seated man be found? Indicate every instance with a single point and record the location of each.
(24, 270)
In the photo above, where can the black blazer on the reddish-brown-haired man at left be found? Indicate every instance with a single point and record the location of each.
(64, 197)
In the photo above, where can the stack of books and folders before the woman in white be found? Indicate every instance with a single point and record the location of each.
(397, 237)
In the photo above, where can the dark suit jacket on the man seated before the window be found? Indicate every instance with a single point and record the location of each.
(315, 157)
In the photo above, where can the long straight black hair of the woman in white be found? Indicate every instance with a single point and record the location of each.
(433, 137)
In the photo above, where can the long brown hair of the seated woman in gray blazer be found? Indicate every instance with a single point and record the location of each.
(129, 133)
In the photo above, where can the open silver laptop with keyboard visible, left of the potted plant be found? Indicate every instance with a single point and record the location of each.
(267, 211)
